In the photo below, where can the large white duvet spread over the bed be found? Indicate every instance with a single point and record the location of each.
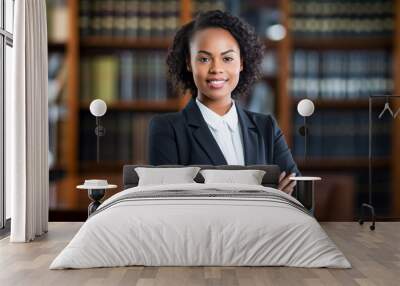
(182, 231)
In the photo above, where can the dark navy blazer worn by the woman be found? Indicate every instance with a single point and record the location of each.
(183, 138)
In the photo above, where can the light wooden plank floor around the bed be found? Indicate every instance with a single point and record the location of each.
(375, 256)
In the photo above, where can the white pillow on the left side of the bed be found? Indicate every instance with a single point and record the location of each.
(166, 176)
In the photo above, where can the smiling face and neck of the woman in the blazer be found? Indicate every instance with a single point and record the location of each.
(215, 63)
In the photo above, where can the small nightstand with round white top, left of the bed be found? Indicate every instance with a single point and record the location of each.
(96, 190)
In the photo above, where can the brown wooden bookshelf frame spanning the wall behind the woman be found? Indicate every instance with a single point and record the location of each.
(76, 171)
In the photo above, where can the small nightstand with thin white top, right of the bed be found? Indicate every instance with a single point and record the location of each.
(305, 191)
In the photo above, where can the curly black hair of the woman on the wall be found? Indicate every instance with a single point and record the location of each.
(251, 50)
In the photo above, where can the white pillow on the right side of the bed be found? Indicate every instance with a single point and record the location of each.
(248, 177)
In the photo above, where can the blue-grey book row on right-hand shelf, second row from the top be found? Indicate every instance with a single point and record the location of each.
(341, 74)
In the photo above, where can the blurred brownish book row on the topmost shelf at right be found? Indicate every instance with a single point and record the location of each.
(344, 18)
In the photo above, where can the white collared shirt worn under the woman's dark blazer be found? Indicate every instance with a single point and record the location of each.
(226, 131)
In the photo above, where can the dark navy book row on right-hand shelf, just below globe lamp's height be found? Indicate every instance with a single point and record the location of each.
(343, 134)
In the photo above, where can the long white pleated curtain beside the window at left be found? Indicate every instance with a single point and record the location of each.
(27, 124)
